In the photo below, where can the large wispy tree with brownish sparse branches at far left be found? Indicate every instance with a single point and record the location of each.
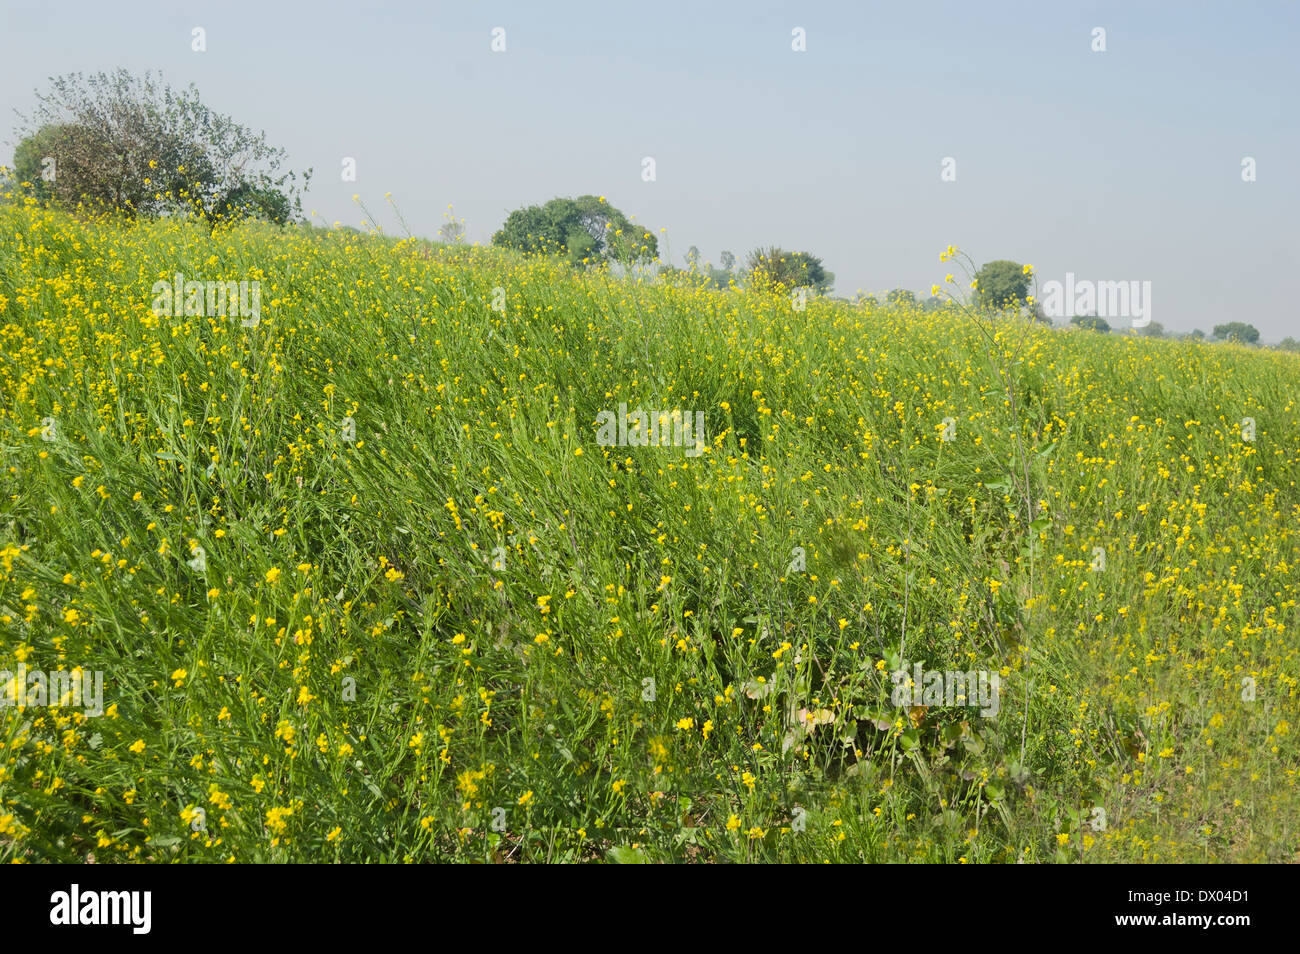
(140, 148)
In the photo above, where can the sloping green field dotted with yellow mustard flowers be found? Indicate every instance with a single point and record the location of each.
(470, 632)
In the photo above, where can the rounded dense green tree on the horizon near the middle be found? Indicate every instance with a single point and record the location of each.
(587, 231)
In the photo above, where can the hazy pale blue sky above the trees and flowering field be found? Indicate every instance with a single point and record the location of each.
(1116, 166)
